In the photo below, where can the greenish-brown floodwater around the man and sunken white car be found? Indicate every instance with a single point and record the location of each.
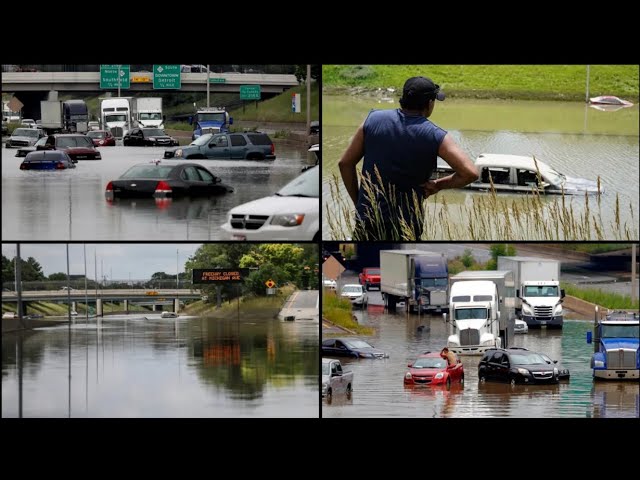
(573, 138)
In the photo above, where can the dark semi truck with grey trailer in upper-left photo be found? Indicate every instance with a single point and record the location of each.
(69, 116)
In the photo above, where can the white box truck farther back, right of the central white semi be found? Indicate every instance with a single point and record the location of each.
(538, 293)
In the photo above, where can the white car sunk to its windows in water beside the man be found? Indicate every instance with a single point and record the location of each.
(521, 174)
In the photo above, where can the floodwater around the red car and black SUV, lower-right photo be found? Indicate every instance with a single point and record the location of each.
(378, 389)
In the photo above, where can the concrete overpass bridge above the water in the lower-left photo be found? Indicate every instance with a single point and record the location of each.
(126, 296)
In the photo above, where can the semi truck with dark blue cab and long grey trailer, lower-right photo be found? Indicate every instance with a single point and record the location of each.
(418, 278)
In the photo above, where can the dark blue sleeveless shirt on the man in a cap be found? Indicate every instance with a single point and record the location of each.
(404, 148)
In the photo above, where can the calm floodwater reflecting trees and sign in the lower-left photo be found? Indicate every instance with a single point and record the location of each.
(184, 367)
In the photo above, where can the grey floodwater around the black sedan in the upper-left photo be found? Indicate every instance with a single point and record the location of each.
(70, 204)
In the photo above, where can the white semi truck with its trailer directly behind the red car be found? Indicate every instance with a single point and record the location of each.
(482, 311)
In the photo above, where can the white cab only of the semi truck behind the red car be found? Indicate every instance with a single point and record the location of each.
(474, 307)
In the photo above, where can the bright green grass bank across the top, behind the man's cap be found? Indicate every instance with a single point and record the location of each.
(536, 82)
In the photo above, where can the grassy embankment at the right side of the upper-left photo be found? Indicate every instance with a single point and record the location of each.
(278, 109)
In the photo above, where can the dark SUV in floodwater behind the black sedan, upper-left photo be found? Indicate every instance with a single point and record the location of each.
(234, 146)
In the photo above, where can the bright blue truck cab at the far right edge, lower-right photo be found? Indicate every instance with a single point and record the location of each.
(615, 347)
